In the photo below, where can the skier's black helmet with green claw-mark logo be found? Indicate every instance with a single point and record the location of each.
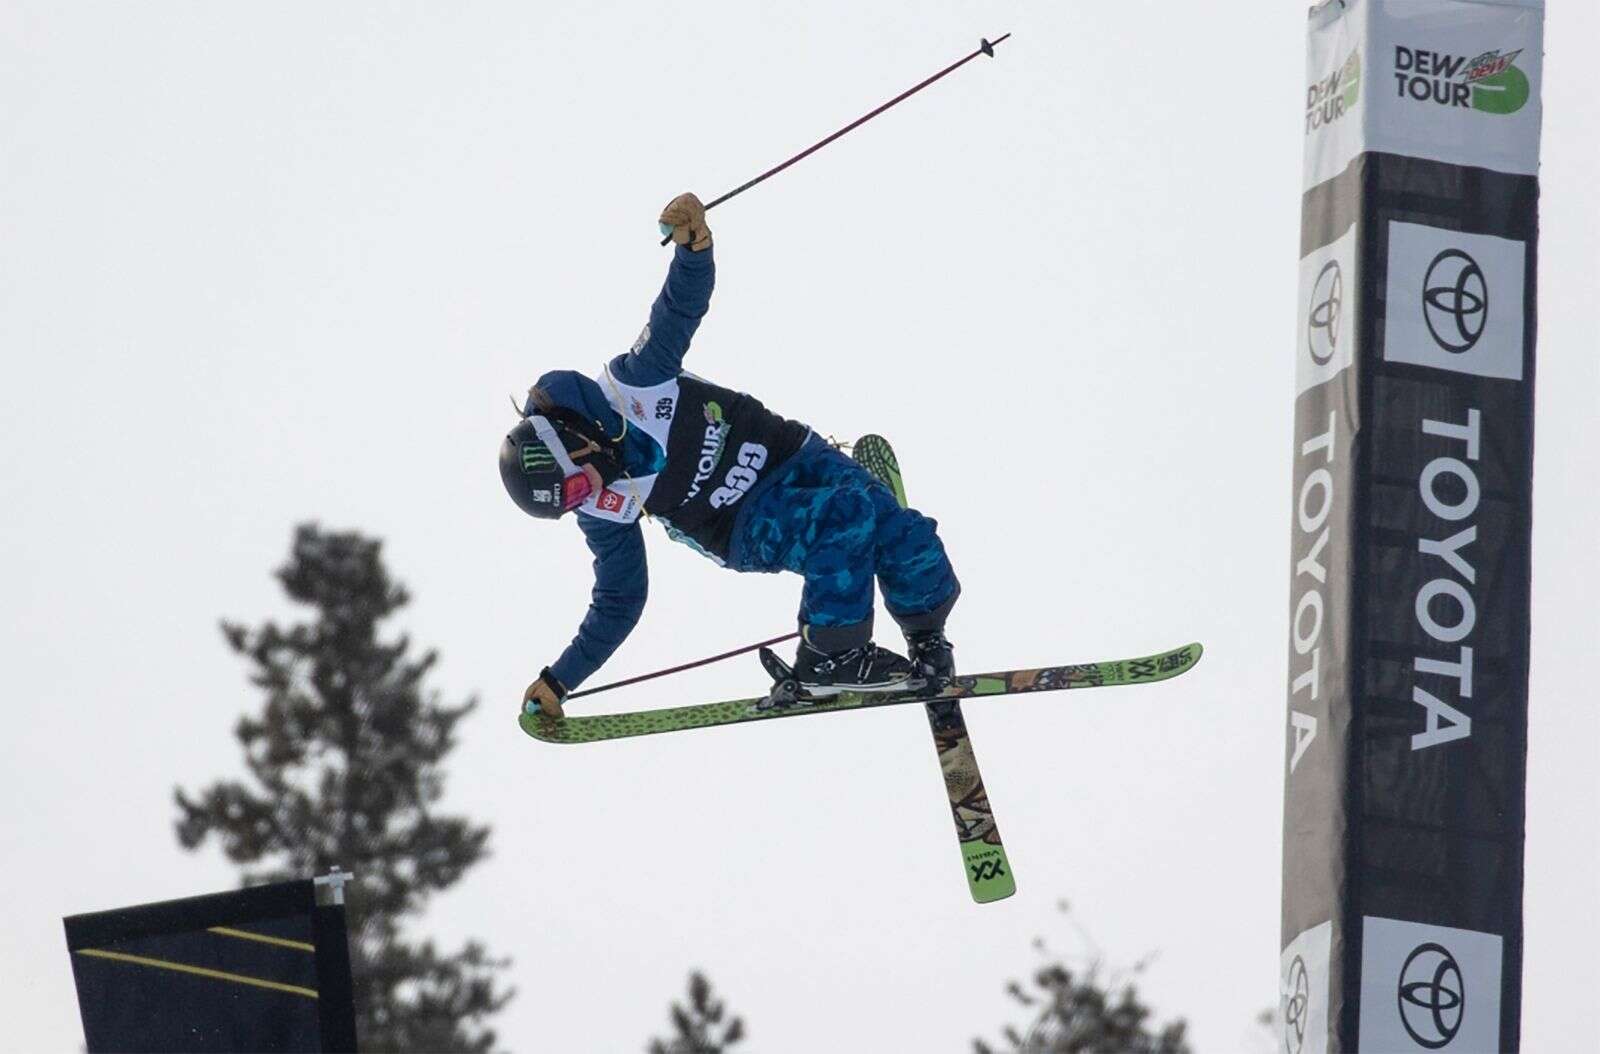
(538, 460)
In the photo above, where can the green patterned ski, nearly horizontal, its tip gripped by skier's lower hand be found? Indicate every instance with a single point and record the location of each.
(601, 727)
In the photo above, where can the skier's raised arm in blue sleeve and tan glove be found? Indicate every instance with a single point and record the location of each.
(682, 303)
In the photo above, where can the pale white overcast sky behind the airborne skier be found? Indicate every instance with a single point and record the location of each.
(276, 263)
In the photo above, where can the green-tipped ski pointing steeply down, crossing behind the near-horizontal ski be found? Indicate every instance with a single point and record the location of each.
(983, 855)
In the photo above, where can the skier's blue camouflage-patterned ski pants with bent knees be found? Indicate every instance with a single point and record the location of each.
(831, 521)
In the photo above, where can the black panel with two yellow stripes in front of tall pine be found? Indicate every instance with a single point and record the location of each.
(257, 970)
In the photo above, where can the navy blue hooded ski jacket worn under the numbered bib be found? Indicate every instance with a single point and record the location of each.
(622, 578)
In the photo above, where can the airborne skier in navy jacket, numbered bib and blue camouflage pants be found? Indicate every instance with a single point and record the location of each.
(734, 481)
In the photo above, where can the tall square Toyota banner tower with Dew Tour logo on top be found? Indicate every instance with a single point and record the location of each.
(1412, 516)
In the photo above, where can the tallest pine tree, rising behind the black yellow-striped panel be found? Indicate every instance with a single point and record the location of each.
(346, 769)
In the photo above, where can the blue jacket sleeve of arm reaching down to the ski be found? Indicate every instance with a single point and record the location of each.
(617, 602)
